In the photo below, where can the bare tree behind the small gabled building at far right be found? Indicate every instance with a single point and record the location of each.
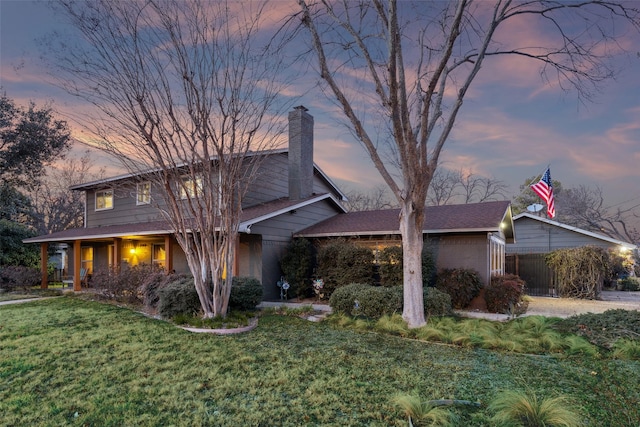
(584, 207)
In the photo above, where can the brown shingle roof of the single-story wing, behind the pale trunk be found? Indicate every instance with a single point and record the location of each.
(485, 217)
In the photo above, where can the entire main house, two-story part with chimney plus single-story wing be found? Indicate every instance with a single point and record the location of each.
(293, 197)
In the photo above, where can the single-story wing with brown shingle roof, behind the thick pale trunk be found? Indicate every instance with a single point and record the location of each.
(470, 236)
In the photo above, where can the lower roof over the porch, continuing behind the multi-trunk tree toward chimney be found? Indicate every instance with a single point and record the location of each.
(249, 216)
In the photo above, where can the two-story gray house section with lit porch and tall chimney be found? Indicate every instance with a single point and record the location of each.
(124, 224)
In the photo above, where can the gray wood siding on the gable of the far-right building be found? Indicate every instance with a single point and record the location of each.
(537, 237)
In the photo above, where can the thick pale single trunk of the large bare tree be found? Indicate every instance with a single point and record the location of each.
(412, 243)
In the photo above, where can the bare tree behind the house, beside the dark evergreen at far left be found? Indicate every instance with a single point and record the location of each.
(56, 206)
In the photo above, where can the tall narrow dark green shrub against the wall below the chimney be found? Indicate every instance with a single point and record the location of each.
(296, 265)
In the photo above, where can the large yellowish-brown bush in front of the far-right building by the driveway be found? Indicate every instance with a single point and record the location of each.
(580, 272)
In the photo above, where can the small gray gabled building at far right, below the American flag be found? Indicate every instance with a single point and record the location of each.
(538, 236)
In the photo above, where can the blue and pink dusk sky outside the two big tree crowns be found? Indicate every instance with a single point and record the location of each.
(511, 126)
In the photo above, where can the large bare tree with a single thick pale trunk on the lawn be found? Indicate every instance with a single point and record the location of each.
(410, 65)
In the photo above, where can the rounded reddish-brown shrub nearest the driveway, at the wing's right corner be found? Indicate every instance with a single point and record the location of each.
(505, 294)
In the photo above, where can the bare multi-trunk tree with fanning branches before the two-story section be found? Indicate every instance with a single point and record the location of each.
(186, 92)
